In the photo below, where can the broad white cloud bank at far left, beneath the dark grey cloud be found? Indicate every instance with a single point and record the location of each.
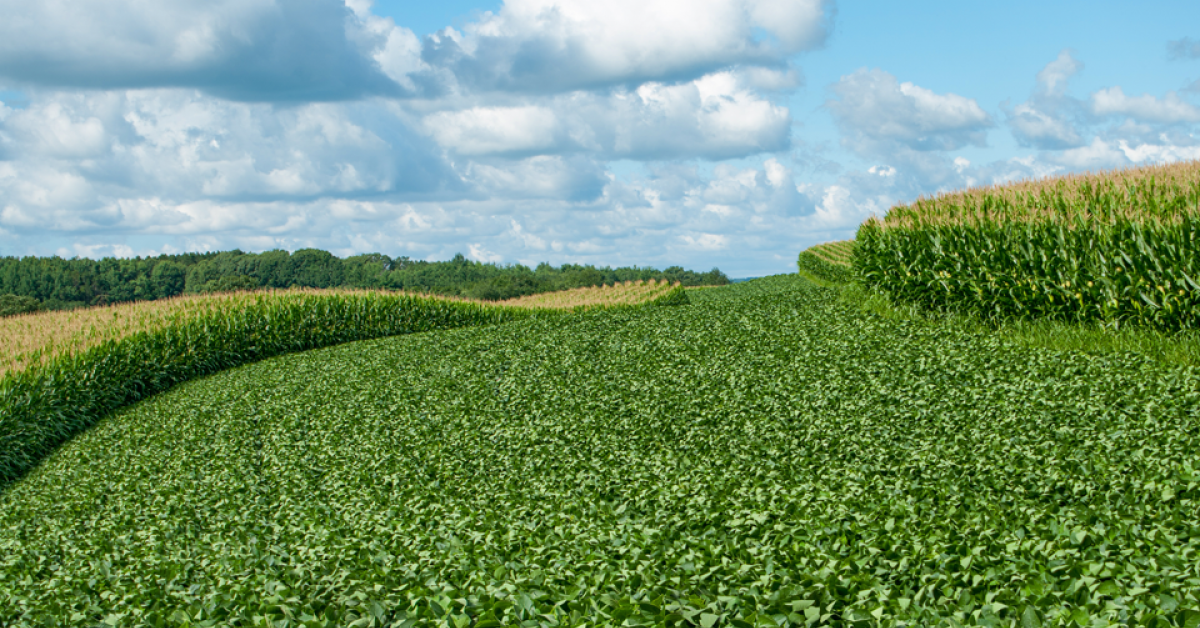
(94, 157)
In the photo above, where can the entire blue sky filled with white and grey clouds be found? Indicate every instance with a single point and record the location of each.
(728, 134)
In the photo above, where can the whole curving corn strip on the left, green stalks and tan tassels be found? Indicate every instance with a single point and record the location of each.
(159, 345)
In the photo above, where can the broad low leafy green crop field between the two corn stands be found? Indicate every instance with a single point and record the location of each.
(766, 457)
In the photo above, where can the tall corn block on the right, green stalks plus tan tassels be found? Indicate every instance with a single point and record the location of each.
(1119, 248)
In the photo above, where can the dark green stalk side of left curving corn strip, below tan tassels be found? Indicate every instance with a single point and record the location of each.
(41, 409)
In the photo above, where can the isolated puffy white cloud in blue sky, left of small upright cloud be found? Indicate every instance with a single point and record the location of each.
(877, 113)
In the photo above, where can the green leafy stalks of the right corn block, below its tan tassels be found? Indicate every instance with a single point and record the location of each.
(1121, 274)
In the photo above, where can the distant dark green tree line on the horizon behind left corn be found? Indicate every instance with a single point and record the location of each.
(56, 284)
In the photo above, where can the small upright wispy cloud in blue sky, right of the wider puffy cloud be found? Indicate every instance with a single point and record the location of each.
(1049, 119)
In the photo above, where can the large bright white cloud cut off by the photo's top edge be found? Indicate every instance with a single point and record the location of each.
(544, 46)
